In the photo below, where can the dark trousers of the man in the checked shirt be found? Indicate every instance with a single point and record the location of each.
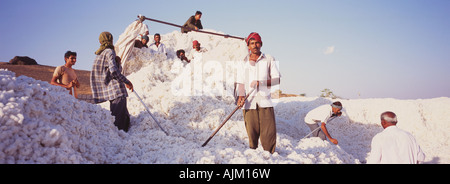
(119, 110)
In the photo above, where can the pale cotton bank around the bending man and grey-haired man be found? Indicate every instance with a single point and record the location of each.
(428, 120)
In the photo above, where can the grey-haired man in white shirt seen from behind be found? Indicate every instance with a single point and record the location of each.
(393, 145)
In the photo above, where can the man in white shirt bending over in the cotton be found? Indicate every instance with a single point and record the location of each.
(323, 114)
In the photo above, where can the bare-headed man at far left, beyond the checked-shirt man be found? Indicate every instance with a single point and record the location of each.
(65, 75)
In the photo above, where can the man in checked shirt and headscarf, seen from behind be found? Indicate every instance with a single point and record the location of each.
(108, 84)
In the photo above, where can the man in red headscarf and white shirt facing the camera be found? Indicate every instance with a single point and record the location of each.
(258, 71)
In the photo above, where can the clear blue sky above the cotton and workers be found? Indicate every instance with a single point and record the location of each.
(357, 48)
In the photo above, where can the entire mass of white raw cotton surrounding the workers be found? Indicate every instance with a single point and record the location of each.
(41, 123)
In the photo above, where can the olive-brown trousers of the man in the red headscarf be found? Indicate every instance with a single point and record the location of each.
(260, 124)
